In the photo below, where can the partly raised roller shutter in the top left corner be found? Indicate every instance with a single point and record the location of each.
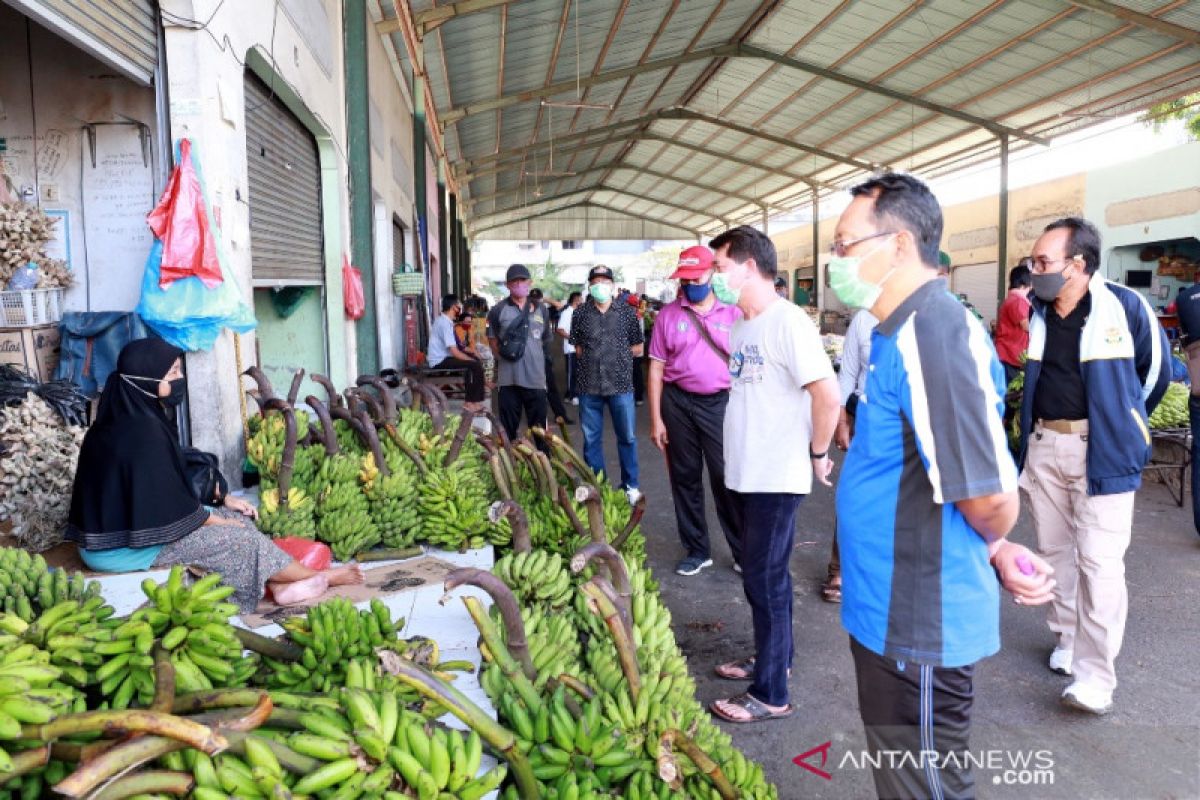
(123, 34)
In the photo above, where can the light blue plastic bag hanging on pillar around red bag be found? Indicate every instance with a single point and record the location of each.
(188, 314)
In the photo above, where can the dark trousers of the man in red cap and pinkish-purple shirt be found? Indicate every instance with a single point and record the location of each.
(695, 438)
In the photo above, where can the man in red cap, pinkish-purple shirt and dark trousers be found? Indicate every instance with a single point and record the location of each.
(689, 388)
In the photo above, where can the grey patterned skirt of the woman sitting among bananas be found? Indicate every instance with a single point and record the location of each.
(245, 557)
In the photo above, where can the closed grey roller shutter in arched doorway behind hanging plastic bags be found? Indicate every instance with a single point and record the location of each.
(286, 242)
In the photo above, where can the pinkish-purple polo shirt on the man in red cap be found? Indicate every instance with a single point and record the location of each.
(691, 364)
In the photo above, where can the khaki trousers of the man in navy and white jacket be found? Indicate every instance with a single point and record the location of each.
(1084, 539)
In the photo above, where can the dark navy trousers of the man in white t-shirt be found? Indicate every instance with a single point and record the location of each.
(769, 530)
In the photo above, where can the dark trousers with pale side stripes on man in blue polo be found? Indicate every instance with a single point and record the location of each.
(913, 708)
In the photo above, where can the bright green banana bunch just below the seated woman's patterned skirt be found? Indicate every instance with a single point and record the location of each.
(193, 624)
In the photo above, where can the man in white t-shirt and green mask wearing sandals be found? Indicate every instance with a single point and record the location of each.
(779, 424)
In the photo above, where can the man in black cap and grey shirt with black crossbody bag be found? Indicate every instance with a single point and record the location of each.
(519, 334)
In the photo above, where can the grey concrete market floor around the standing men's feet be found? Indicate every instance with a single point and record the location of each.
(1148, 748)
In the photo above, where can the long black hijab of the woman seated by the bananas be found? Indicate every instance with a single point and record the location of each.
(130, 486)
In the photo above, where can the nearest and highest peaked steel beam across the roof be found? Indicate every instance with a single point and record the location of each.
(725, 52)
